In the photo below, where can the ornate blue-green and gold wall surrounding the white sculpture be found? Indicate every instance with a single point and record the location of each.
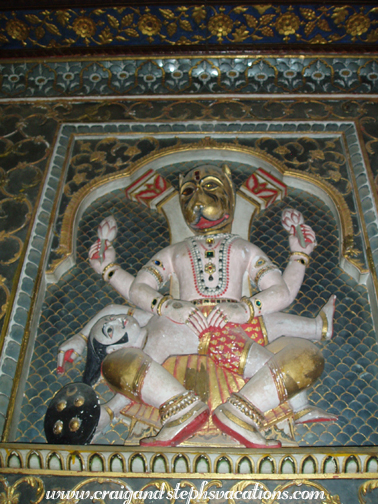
(70, 128)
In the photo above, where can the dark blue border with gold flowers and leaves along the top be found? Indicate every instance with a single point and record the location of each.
(188, 25)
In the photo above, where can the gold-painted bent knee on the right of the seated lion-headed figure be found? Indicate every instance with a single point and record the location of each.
(296, 367)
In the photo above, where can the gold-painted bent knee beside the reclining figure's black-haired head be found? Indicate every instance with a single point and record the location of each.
(125, 370)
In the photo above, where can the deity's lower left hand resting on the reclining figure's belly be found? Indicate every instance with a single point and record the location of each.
(184, 312)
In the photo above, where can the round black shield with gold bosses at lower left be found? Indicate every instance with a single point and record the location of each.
(73, 415)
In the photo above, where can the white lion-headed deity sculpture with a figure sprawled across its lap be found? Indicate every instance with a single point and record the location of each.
(248, 335)
